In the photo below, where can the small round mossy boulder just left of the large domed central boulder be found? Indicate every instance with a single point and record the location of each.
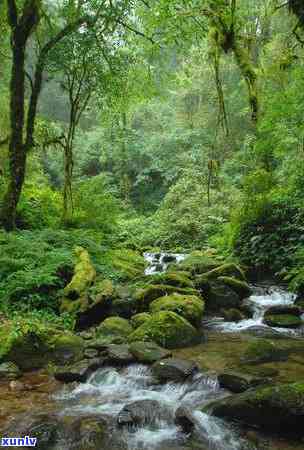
(114, 330)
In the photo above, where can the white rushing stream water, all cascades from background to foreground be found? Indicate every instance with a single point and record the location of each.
(110, 389)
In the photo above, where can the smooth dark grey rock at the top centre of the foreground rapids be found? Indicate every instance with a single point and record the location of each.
(173, 369)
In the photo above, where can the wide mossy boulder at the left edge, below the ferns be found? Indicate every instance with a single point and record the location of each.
(33, 348)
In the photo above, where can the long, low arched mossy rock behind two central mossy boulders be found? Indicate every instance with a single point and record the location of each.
(146, 295)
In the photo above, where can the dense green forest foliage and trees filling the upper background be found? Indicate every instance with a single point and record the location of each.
(172, 125)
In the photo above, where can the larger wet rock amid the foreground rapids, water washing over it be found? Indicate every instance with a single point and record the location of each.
(142, 412)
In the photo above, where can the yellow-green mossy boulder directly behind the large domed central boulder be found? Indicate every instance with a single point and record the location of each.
(187, 306)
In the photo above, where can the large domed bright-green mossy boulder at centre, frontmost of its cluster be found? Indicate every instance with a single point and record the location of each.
(167, 329)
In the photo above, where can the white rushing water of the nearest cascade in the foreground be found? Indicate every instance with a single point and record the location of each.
(110, 389)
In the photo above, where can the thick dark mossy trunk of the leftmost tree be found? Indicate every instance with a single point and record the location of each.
(17, 151)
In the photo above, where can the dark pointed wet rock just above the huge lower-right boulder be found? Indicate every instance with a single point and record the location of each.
(238, 382)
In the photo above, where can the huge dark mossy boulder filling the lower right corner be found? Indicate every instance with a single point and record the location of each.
(279, 408)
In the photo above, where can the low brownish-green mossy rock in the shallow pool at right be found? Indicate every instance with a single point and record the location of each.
(262, 351)
